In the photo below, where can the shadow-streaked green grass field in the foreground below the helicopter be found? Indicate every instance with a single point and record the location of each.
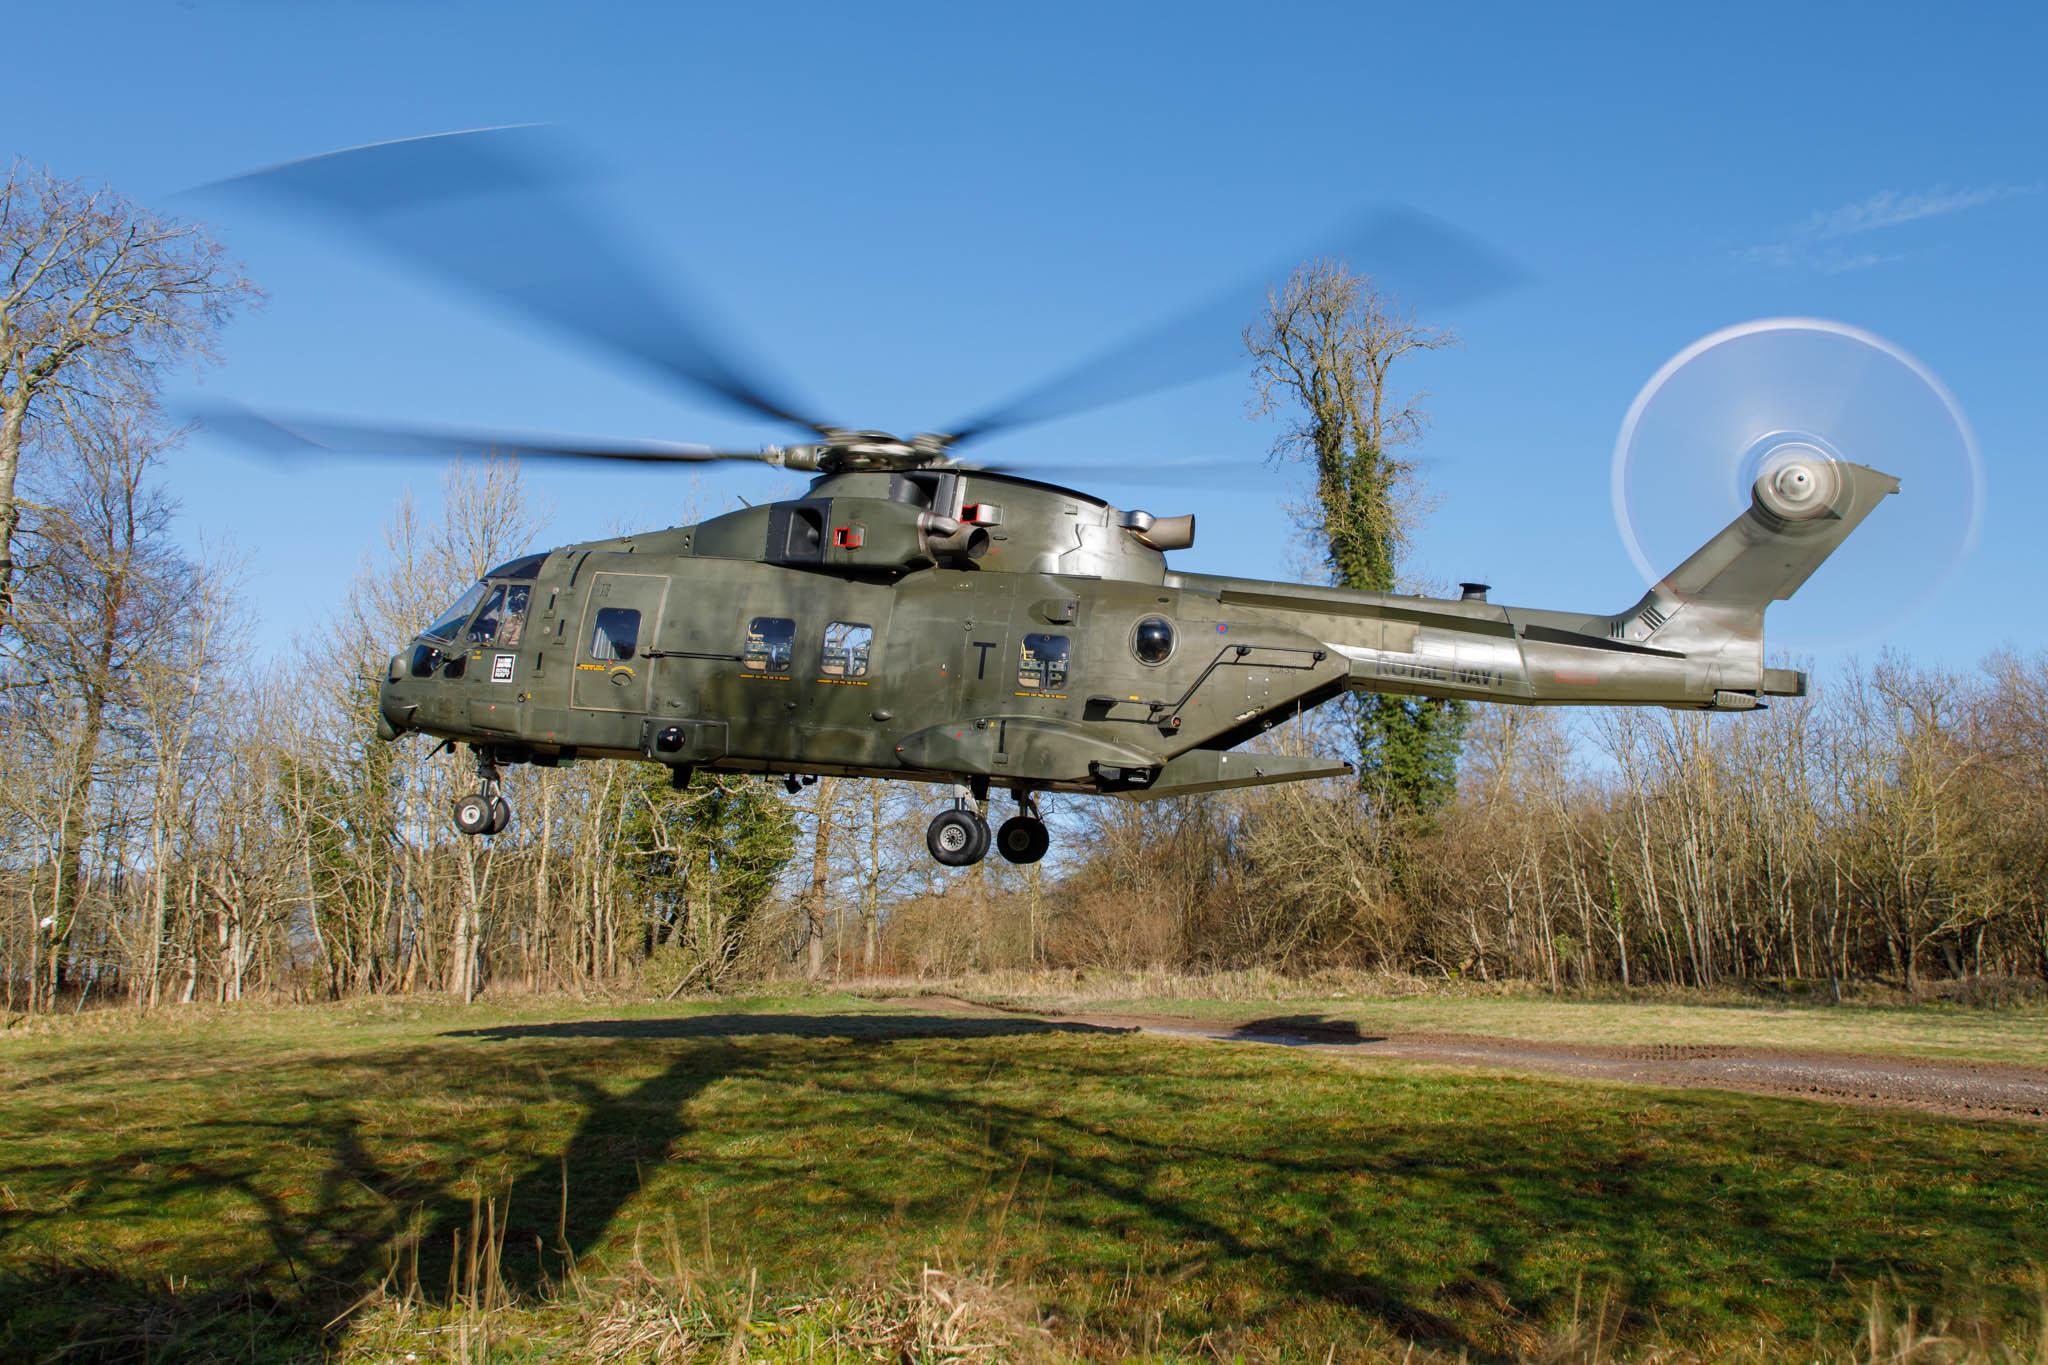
(771, 1180)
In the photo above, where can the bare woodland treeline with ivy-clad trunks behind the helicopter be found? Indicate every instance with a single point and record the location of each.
(187, 820)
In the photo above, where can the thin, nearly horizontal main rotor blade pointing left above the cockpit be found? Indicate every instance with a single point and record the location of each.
(298, 435)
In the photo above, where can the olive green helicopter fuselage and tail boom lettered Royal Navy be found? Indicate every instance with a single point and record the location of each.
(968, 627)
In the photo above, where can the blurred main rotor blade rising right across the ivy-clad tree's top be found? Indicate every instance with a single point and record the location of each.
(1426, 265)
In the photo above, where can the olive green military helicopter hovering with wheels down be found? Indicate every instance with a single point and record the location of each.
(921, 619)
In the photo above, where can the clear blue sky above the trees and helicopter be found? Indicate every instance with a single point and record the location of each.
(912, 212)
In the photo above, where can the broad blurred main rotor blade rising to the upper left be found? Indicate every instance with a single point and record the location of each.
(488, 208)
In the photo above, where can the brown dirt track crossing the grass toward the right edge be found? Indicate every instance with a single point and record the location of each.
(1971, 1090)
